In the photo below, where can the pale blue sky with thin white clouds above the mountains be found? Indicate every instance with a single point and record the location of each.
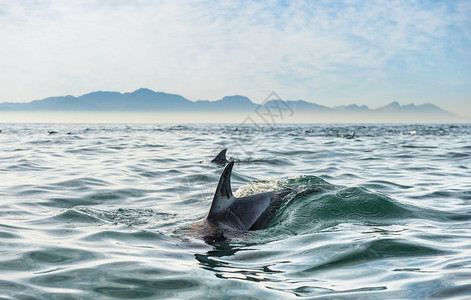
(328, 52)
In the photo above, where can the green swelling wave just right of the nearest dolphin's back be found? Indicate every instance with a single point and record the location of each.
(317, 205)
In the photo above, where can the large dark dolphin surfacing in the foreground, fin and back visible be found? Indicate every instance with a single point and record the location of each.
(229, 214)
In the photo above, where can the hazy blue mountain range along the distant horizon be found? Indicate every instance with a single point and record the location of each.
(148, 100)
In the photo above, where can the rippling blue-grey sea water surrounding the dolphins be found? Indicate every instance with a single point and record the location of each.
(108, 211)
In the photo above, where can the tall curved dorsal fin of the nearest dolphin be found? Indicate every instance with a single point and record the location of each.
(223, 196)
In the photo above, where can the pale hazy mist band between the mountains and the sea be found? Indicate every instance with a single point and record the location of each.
(242, 118)
